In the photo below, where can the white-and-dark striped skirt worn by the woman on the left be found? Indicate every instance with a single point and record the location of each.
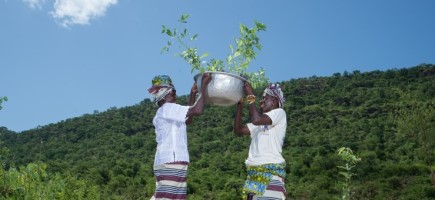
(171, 181)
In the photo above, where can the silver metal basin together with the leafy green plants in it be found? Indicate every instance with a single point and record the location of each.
(229, 76)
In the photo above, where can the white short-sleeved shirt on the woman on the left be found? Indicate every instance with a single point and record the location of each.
(171, 134)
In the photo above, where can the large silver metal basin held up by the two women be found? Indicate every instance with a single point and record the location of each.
(225, 89)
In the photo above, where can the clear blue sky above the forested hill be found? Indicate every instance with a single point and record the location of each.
(61, 59)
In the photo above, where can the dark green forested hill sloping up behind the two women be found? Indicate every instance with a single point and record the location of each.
(386, 117)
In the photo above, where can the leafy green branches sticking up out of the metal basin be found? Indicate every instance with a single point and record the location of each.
(237, 62)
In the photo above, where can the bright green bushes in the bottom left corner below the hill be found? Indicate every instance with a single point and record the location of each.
(33, 182)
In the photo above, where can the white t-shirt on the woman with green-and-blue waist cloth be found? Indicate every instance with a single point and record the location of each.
(267, 141)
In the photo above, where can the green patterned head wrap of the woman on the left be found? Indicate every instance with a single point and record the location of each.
(161, 86)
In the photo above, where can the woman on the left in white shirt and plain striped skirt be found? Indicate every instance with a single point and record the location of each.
(172, 156)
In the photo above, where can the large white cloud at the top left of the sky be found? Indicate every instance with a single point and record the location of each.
(70, 12)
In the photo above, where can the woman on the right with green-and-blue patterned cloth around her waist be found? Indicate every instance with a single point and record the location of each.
(265, 164)
